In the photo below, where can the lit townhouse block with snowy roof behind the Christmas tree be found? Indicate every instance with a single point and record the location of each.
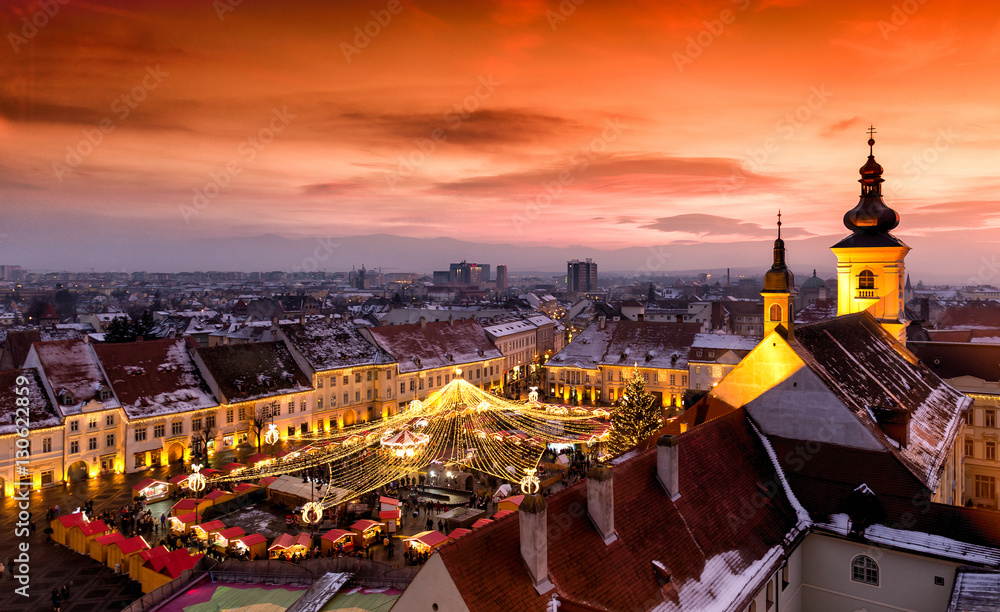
(594, 367)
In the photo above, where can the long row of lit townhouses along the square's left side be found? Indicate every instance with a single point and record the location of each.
(105, 408)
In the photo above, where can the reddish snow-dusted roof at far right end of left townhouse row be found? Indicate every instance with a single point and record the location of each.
(435, 345)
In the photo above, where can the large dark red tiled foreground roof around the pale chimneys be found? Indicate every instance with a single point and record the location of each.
(716, 552)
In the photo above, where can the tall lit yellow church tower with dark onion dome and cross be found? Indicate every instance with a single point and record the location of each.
(870, 271)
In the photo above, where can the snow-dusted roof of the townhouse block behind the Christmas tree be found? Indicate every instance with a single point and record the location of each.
(647, 344)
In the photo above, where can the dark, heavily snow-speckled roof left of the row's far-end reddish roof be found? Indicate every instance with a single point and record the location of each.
(329, 346)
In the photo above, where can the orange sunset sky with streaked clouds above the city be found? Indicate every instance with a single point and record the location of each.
(679, 124)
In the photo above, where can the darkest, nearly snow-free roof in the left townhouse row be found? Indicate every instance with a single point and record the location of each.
(253, 371)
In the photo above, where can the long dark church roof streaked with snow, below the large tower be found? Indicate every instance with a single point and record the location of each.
(867, 370)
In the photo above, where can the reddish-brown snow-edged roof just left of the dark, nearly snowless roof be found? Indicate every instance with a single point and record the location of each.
(154, 377)
